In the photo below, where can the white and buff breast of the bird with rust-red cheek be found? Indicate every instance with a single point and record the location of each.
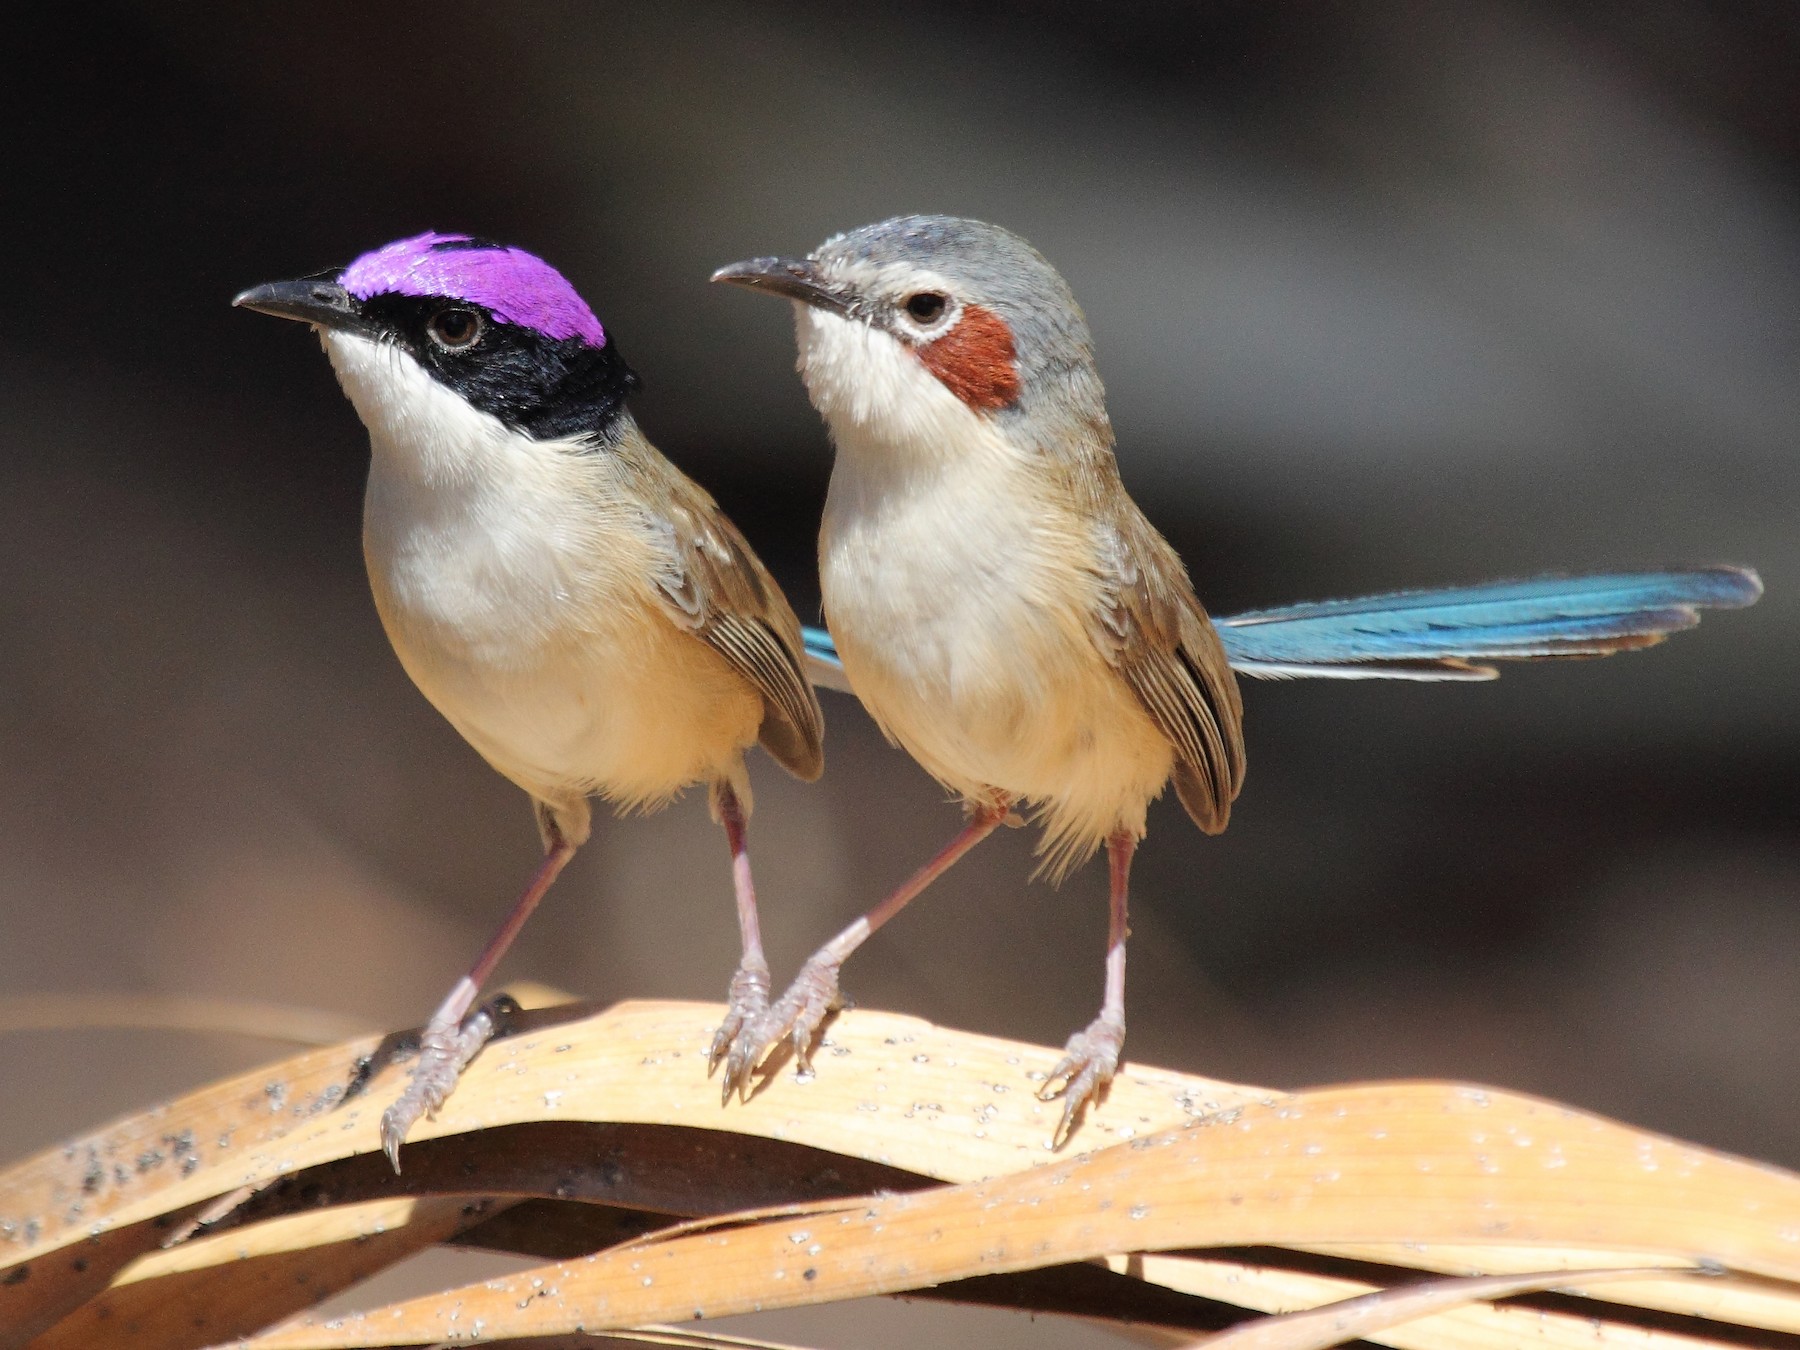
(962, 609)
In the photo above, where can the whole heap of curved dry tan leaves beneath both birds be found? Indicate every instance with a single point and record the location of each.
(913, 1160)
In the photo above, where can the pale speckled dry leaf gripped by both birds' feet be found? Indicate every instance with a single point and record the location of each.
(890, 1090)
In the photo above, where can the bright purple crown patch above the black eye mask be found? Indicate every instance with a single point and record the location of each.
(514, 285)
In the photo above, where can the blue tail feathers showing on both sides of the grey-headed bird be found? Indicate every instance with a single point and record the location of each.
(1450, 634)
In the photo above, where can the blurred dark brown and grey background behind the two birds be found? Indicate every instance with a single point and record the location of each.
(1385, 294)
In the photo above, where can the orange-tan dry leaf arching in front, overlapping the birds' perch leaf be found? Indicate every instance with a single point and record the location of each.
(1389, 1164)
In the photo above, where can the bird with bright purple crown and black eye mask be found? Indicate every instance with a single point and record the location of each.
(570, 600)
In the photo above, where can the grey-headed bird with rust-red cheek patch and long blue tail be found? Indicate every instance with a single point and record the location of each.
(1014, 622)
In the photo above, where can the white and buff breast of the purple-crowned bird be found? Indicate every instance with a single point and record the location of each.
(523, 606)
